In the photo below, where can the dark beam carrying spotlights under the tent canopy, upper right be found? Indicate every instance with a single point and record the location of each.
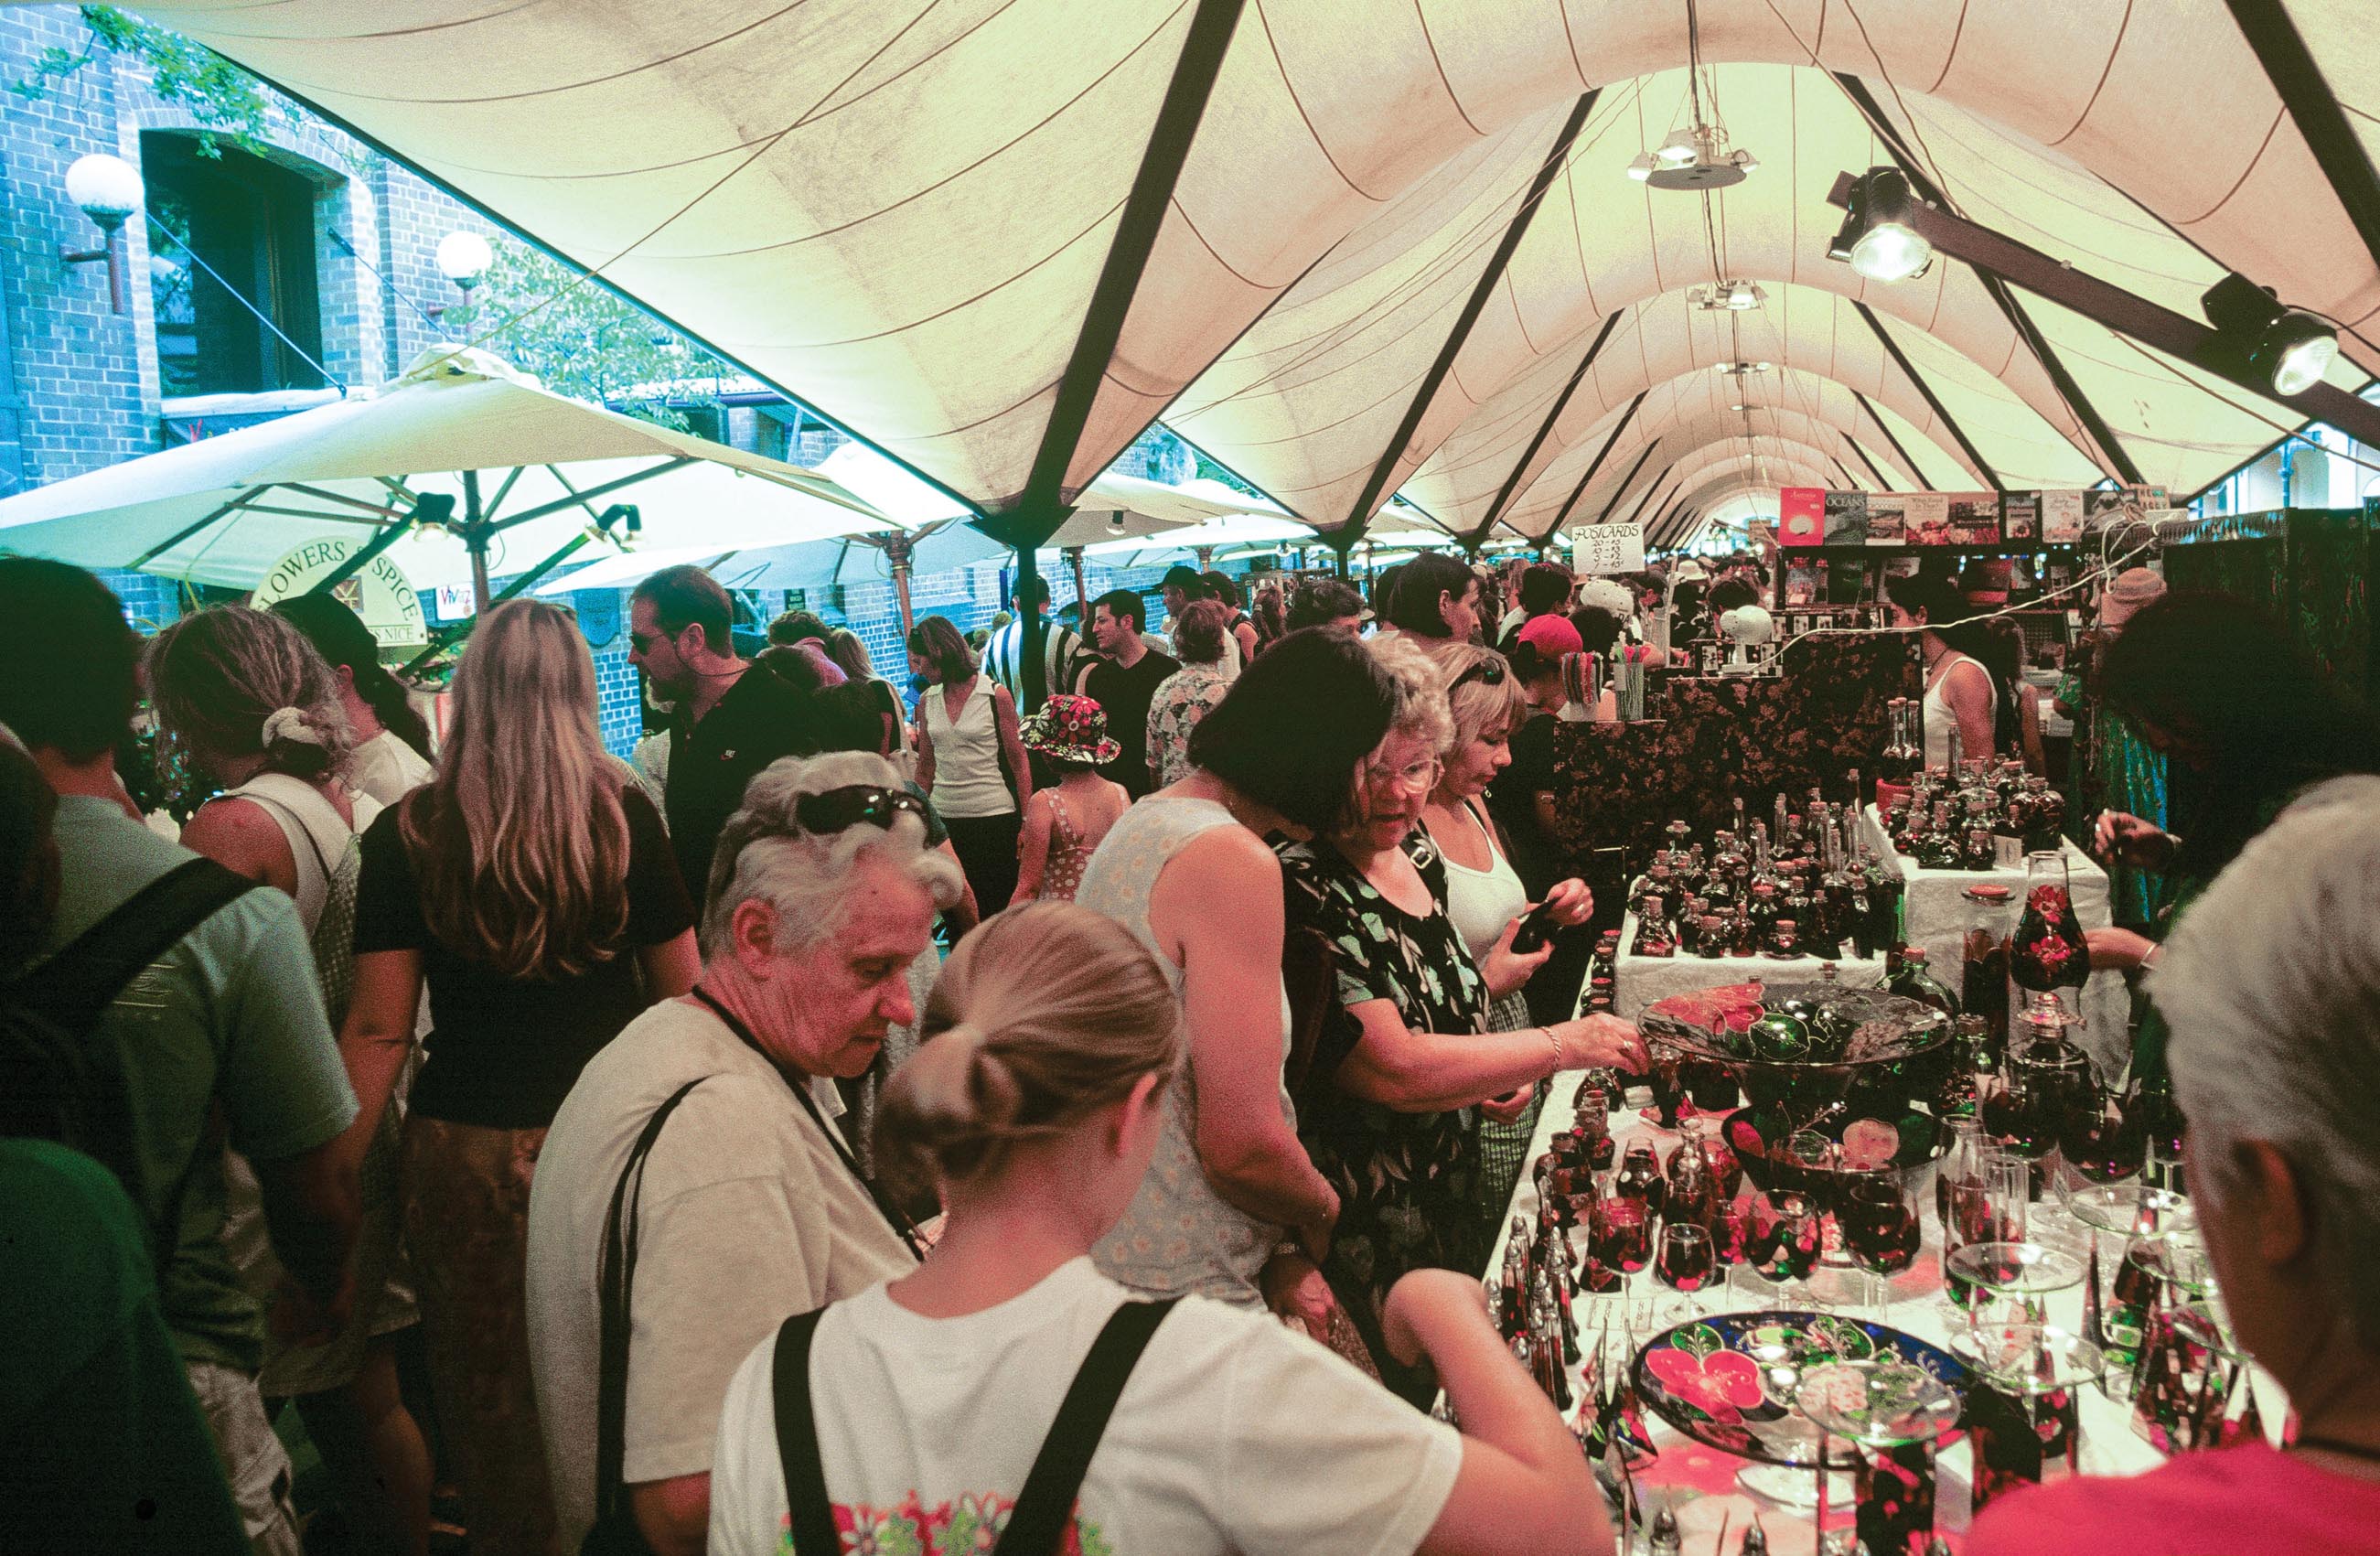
(2119, 310)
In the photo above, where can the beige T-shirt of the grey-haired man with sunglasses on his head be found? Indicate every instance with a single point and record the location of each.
(746, 1215)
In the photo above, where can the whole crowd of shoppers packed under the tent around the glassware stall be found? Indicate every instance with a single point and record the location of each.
(427, 1041)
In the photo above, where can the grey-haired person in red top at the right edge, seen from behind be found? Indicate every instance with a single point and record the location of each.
(2272, 986)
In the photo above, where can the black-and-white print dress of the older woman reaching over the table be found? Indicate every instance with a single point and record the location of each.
(1408, 1184)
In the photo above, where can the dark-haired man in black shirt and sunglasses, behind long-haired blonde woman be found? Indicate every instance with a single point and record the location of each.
(727, 724)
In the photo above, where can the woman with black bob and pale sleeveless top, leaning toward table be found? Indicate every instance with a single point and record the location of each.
(1191, 874)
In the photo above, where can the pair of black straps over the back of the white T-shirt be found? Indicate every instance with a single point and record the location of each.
(1044, 1507)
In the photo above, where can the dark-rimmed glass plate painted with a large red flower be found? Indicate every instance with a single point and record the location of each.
(1731, 1381)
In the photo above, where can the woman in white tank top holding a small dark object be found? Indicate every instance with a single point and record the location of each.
(1484, 893)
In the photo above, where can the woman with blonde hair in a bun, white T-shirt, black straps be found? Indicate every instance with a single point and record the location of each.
(1034, 1105)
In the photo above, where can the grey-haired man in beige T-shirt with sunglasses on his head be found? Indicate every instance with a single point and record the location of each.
(749, 1203)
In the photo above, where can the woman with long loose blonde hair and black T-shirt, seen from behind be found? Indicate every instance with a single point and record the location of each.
(534, 891)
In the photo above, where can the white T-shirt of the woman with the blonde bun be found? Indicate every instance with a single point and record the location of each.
(1232, 1436)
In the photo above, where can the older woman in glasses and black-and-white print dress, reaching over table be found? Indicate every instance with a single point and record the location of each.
(1405, 1058)
